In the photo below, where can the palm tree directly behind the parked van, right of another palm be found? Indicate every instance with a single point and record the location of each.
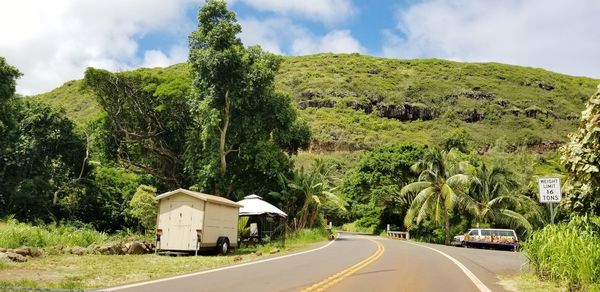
(492, 198)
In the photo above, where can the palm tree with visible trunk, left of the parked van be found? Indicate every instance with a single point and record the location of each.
(438, 189)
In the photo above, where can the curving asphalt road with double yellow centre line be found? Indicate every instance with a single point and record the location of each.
(355, 263)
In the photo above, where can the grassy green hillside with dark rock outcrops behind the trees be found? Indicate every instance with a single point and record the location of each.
(356, 102)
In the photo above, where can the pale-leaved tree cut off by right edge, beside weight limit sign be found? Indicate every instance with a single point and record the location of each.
(582, 161)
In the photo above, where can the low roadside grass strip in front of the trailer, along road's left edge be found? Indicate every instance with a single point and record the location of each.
(95, 271)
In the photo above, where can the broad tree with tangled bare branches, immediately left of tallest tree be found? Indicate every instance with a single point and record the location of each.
(146, 120)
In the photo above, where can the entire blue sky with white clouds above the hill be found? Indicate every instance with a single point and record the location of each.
(53, 41)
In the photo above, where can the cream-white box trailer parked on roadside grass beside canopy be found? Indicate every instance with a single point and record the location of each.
(191, 221)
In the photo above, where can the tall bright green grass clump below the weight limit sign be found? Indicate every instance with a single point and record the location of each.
(568, 253)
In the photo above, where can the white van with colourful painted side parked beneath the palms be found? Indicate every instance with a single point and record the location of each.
(488, 237)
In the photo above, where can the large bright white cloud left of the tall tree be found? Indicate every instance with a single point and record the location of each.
(54, 41)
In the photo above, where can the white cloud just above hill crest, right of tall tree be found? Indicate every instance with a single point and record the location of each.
(282, 36)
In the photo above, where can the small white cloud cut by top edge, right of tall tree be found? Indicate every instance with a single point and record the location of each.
(327, 11)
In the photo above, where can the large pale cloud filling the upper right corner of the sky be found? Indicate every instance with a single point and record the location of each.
(557, 35)
